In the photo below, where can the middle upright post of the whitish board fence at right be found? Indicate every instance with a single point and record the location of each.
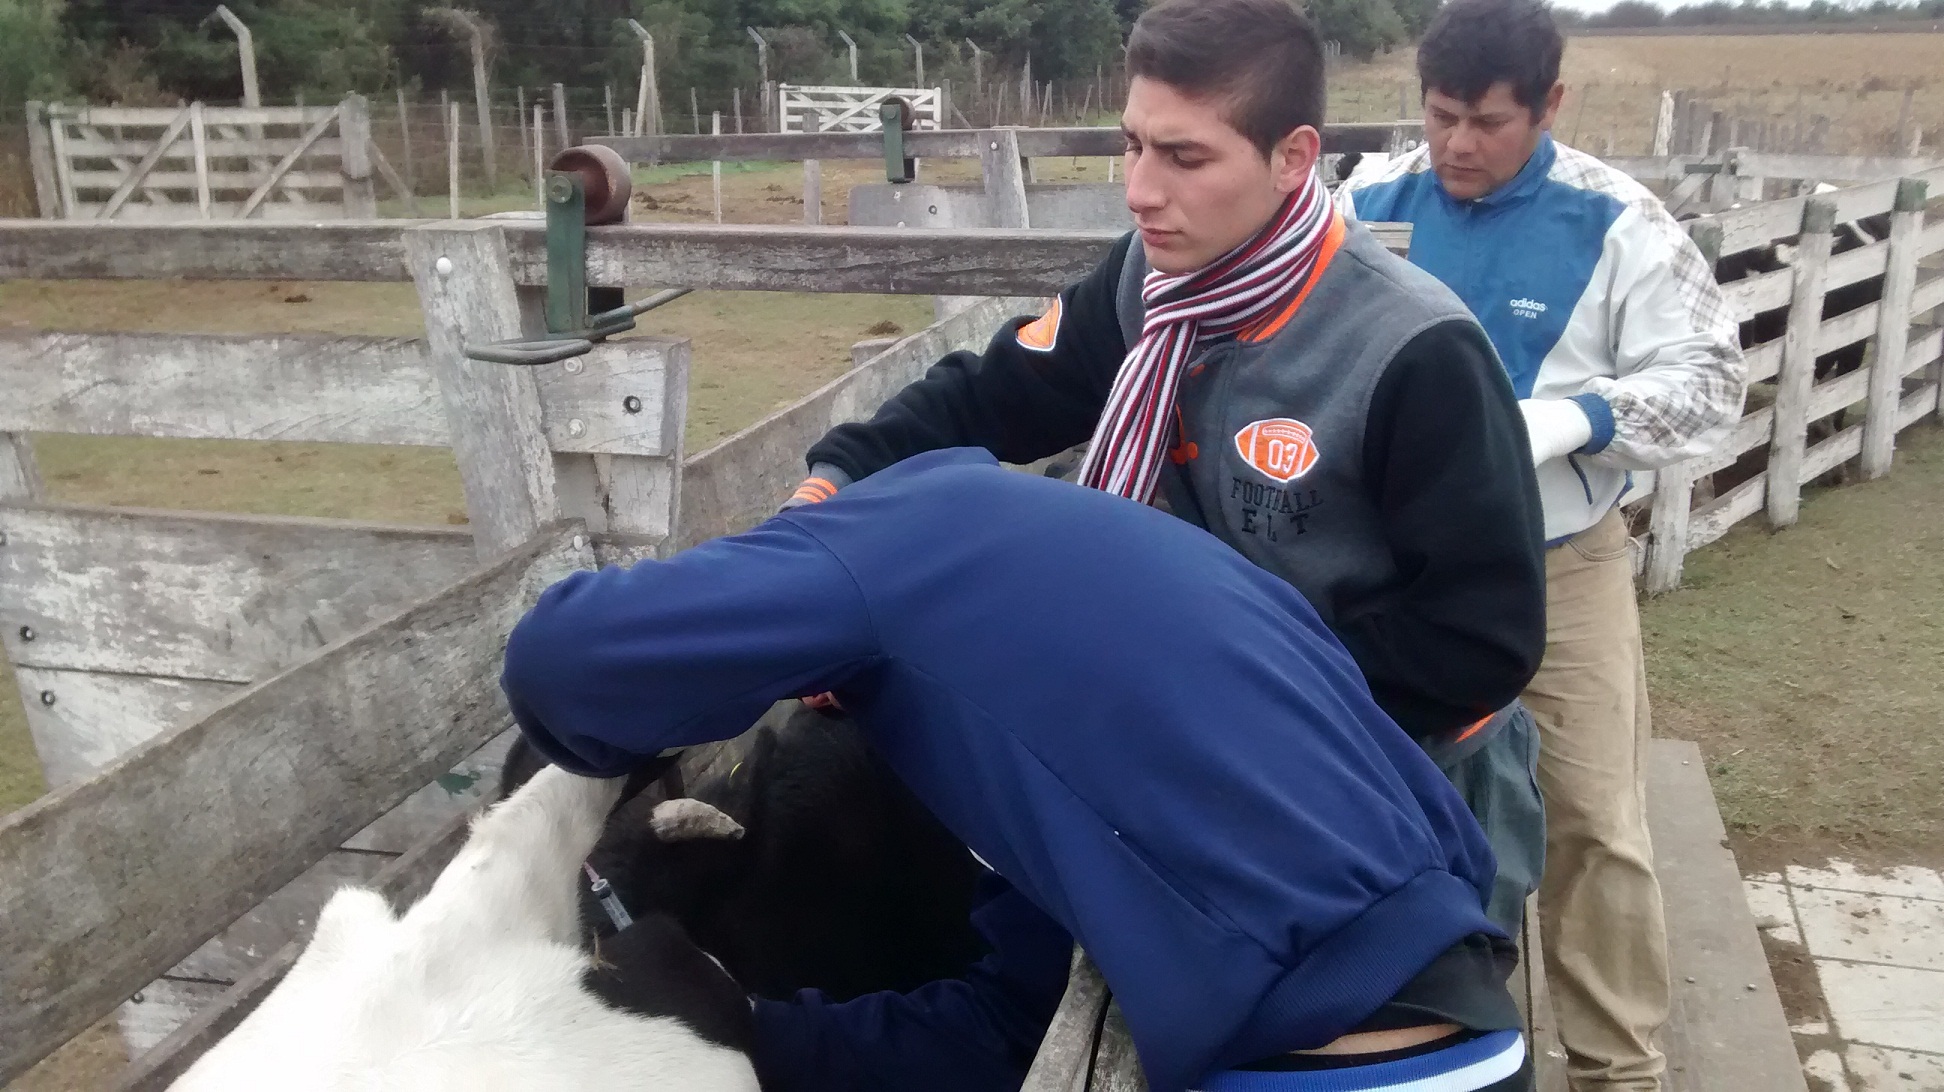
(1799, 362)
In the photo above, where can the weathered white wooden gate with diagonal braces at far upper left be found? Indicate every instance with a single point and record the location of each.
(205, 162)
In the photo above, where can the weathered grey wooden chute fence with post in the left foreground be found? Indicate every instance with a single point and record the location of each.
(244, 712)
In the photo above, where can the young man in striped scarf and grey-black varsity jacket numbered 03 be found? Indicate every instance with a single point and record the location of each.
(1263, 368)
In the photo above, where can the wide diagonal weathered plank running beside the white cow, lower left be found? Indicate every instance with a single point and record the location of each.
(94, 901)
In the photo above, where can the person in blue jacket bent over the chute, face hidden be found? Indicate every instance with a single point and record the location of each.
(1154, 741)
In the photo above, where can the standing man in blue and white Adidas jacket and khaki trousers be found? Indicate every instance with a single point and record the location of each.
(1626, 360)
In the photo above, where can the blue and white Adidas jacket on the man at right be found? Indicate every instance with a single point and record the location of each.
(1591, 294)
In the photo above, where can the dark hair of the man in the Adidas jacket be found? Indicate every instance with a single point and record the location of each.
(1476, 44)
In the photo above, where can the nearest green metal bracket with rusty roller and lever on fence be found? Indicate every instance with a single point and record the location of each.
(586, 186)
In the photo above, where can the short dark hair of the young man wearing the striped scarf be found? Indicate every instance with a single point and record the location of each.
(1263, 57)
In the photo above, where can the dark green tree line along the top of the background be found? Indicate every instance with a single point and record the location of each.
(164, 51)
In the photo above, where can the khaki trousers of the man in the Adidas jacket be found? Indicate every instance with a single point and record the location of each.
(1607, 941)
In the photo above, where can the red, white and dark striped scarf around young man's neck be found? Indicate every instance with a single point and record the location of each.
(1218, 300)
